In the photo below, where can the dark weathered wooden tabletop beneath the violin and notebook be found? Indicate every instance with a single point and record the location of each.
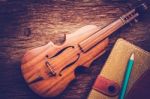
(26, 24)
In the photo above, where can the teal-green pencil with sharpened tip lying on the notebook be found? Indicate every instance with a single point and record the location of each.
(126, 77)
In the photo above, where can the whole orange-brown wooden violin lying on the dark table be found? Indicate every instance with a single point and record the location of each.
(50, 68)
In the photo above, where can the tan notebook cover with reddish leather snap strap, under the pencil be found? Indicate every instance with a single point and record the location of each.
(109, 81)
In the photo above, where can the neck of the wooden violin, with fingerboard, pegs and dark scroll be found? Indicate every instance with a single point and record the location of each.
(101, 34)
